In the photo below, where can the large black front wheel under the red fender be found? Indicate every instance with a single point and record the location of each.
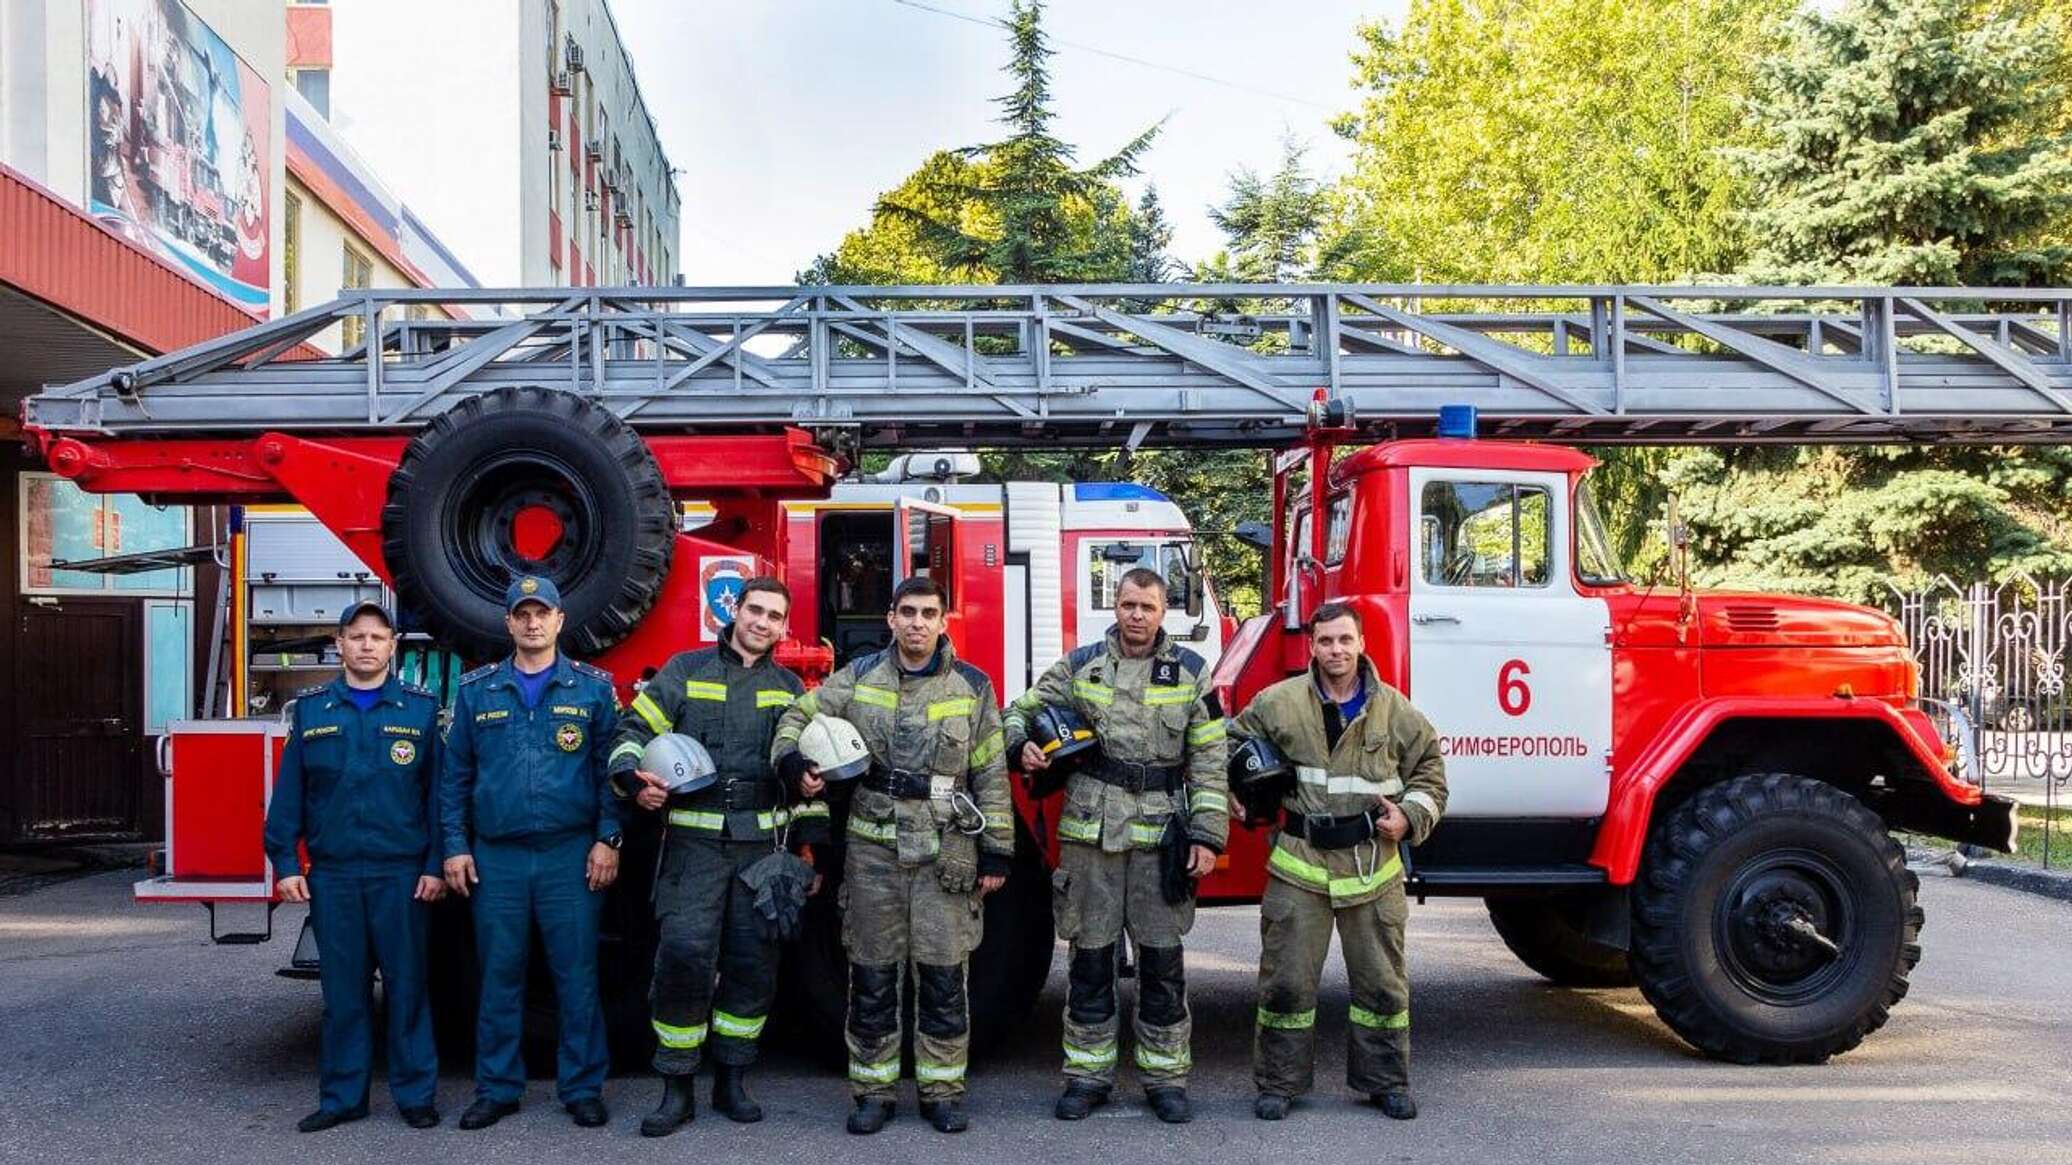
(1775, 921)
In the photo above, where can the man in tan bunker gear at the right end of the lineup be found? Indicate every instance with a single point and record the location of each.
(1369, 778)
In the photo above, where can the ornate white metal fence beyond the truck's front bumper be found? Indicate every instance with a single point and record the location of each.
(1996, 654)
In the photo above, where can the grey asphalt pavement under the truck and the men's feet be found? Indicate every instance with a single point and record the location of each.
(125, 1035)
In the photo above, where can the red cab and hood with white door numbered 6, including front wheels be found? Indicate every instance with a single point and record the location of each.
(1646, 785)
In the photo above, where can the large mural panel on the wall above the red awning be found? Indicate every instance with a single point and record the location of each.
(179, 142)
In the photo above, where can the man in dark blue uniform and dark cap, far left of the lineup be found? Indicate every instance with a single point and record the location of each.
(357, 785)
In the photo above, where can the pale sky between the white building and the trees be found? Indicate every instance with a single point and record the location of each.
(790, 117)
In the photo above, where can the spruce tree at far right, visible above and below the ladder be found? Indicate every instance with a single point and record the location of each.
(1916, 142)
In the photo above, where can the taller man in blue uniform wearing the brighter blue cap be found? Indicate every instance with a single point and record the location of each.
(534, 836)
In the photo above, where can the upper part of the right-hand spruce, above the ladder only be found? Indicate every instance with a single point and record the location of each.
(1911, 142)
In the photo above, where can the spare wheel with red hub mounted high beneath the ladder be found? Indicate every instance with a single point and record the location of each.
(527, 482)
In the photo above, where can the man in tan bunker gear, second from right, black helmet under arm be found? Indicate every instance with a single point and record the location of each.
(1161, 756)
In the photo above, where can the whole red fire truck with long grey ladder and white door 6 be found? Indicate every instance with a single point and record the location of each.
(1690, 793)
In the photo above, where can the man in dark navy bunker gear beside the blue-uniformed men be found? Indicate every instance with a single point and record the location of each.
(716, 971)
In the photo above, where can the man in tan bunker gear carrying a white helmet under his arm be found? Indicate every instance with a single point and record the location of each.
(929, 836)
